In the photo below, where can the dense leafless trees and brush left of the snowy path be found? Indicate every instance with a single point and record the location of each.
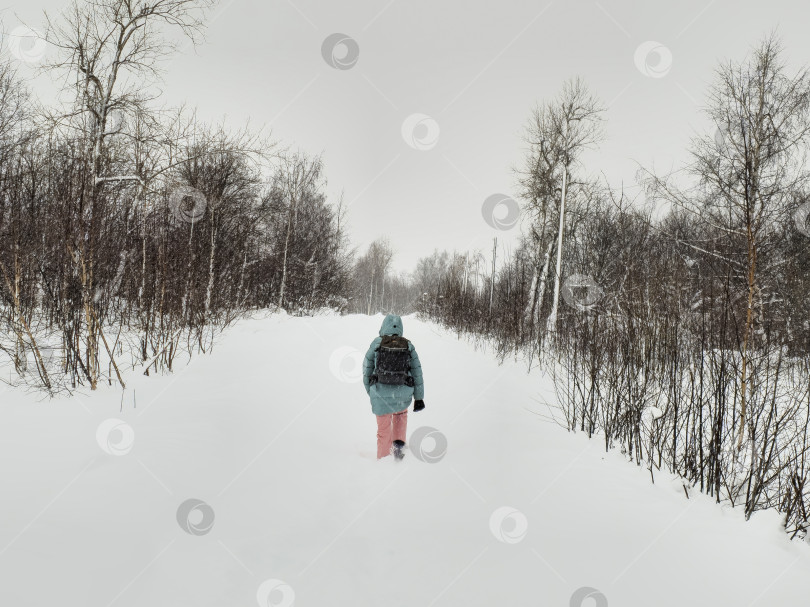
(130, 233)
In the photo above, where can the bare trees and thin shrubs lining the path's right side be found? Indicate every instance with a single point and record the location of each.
(682, 336)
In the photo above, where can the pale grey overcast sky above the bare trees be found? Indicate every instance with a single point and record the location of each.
(475, 69)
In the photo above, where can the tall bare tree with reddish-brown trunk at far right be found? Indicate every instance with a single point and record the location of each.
(748, 173)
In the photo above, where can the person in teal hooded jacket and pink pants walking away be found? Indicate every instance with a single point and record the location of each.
(392, 376)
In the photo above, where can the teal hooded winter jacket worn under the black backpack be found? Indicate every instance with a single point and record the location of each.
(392, 399)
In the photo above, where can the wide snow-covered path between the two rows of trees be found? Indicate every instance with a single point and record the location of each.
(273, 434)
